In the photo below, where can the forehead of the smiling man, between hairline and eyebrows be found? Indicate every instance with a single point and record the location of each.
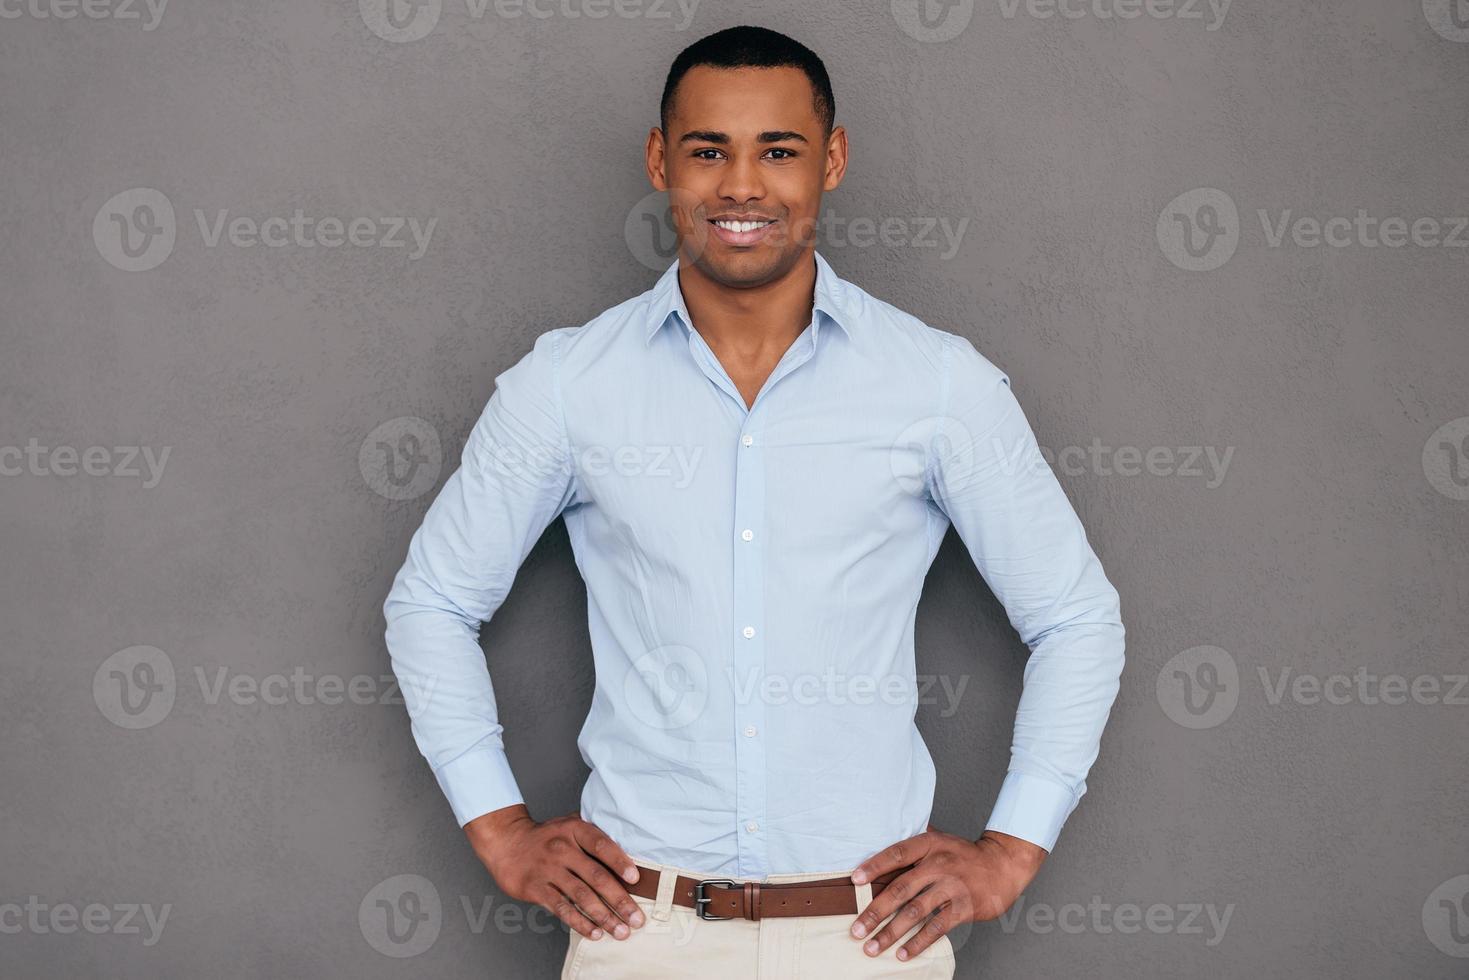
(744, 101)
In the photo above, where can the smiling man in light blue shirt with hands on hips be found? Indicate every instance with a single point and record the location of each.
(757, 464)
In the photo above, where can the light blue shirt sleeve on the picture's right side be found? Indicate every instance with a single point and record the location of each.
(986, 474)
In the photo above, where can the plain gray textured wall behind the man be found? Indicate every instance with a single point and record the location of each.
(1126, 206)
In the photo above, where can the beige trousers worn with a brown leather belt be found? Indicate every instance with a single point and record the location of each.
(676, 944)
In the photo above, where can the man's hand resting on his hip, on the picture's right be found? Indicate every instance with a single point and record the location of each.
(954, 881)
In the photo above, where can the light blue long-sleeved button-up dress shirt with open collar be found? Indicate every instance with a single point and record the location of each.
(753, 577)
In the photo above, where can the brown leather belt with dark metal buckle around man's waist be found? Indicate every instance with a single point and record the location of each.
(726, 898)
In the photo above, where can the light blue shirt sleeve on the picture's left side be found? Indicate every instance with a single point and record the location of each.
(515, 478)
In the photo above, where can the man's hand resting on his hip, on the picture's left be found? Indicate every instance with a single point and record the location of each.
(559, 865)
